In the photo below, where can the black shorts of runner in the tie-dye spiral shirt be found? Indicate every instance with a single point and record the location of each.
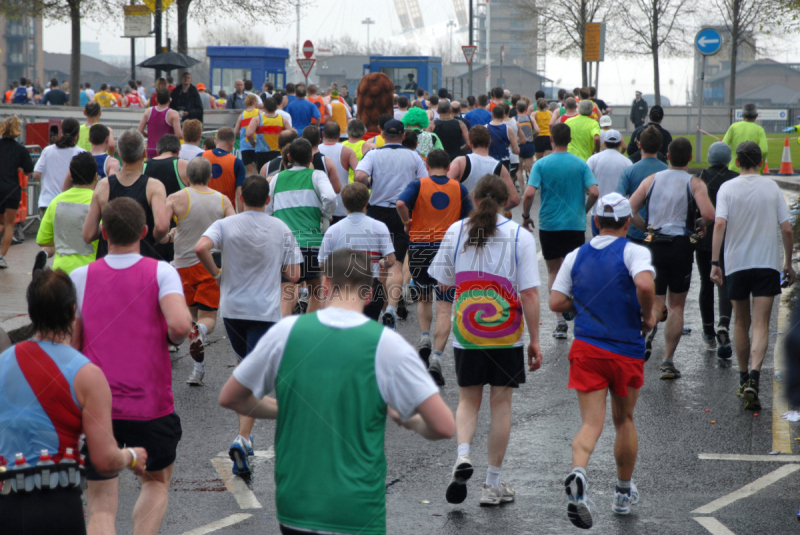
(496, 367)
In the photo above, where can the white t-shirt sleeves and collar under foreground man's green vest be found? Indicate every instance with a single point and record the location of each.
(403, 381)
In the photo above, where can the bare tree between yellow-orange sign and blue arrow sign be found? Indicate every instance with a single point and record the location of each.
(654, 28)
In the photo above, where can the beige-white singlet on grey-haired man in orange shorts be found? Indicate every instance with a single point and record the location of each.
(204, 209)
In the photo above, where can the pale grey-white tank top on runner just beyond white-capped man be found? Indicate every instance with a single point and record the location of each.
(668, 202)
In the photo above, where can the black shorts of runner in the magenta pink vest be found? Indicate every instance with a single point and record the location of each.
(158, 437)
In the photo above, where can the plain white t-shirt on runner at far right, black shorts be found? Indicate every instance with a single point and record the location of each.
(753, 206)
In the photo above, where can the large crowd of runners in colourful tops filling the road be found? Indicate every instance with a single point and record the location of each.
(298, 228)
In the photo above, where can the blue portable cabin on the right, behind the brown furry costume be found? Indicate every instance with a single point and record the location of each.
(427, 71)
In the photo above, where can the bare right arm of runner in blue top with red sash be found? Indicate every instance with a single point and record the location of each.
(94, 396)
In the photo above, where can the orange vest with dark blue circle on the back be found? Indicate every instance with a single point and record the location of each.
(437, 207)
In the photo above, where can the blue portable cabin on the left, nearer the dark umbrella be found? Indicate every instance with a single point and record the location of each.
(256, 63)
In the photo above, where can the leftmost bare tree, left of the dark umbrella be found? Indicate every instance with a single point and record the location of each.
(72, 10)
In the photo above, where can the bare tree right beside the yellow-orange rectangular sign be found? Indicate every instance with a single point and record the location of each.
(566, 22)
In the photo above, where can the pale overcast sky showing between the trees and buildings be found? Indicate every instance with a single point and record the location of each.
(619, 77)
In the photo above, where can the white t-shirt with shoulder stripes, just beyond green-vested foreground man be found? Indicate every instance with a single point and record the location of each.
(362, 233)
